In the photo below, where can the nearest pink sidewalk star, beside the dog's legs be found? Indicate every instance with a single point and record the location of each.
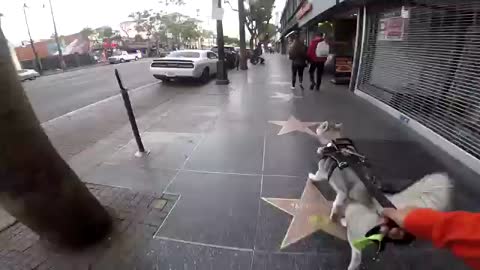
(310, 214)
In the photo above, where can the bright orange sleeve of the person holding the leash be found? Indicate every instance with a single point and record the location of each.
(457, 231)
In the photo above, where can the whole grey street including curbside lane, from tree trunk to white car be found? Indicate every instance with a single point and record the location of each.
(79, 108)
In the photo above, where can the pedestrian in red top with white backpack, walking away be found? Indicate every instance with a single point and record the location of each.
(317, 56)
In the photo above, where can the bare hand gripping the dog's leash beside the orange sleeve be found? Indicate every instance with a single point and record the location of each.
(398, 216)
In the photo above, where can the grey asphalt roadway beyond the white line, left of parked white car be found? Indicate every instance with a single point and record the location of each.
(55, 95)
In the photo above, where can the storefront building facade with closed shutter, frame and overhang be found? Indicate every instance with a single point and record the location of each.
(418, 60)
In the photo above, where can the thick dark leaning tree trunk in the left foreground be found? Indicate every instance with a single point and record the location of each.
(36, 185)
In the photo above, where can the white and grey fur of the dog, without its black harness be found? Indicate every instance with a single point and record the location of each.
(360, 209)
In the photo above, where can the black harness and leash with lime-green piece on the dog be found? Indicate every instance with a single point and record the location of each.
(344, 154)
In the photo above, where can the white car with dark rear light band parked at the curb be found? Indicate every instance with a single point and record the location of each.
(198, 64)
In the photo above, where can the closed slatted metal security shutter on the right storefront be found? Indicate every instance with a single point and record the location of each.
(432, 73)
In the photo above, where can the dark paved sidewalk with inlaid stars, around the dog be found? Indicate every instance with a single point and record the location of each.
(222, 160)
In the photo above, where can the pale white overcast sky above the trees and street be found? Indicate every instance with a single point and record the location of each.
(71, 16)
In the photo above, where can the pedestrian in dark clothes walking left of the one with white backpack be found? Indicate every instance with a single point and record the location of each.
(298, 54)
